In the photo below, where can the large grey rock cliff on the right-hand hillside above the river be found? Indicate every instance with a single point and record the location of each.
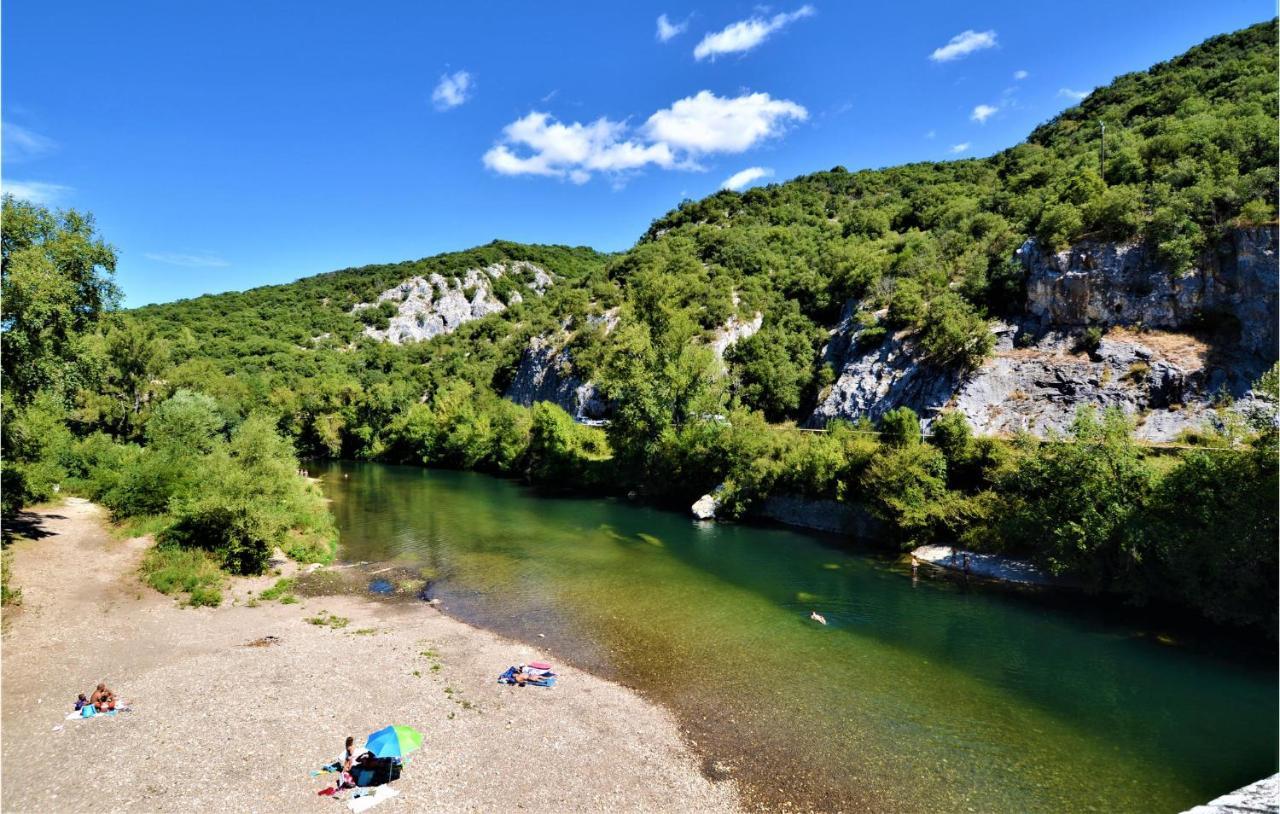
(1037, 377)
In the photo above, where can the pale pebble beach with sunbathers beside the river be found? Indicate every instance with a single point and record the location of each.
(222, 726)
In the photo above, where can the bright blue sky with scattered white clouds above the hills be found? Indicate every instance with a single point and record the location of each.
(231, 145)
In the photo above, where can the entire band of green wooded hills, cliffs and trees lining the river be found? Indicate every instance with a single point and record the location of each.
(835, 296)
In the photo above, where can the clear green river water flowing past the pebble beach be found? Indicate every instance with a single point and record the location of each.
(916, 698)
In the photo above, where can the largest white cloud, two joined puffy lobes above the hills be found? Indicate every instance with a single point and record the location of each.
(671, 139)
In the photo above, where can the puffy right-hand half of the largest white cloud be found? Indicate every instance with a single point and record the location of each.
(710, 124)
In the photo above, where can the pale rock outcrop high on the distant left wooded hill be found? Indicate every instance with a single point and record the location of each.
(436, 305)
